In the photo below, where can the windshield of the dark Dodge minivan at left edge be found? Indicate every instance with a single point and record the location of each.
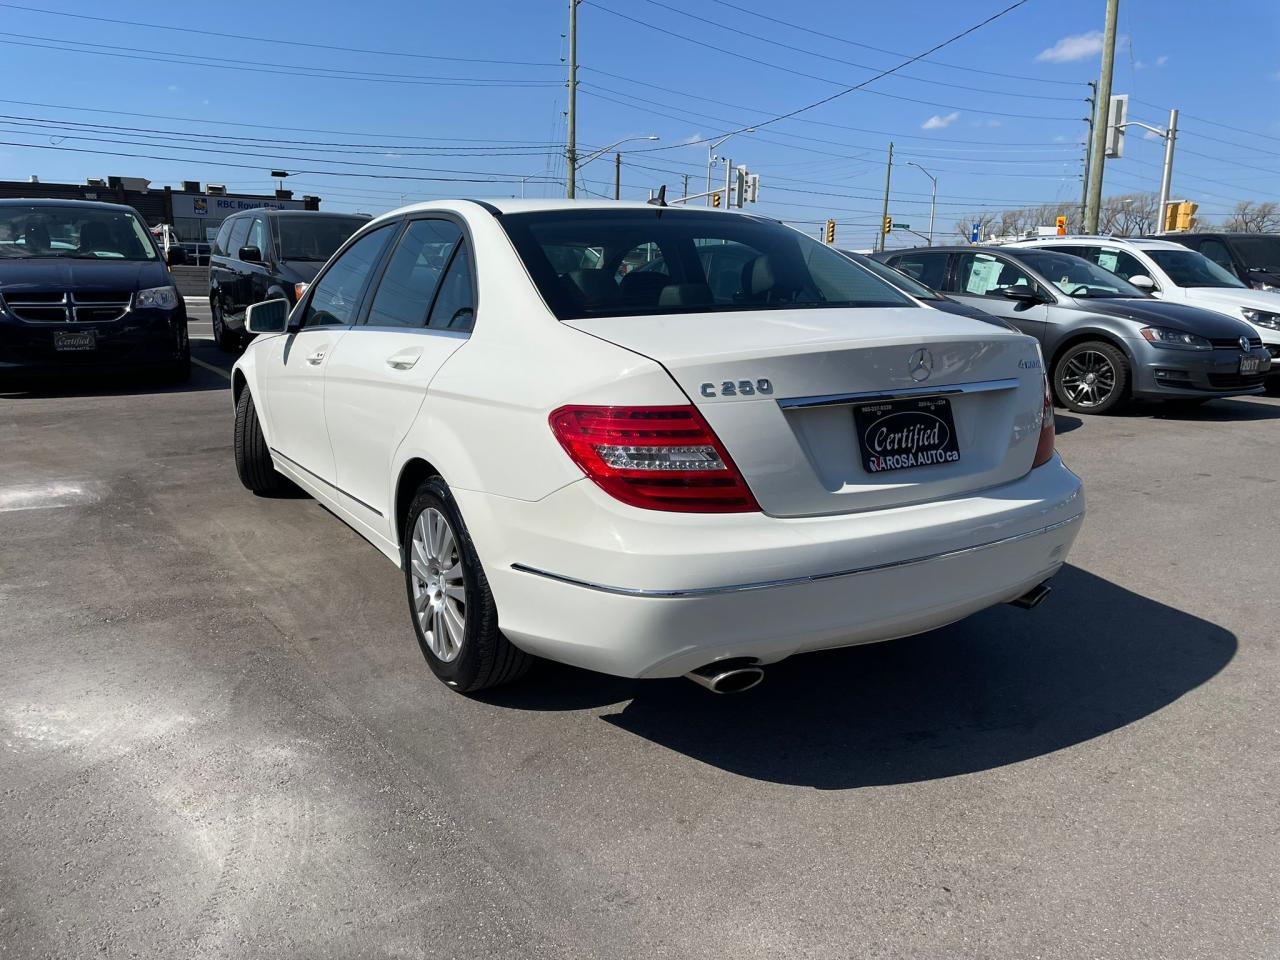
(43, 231)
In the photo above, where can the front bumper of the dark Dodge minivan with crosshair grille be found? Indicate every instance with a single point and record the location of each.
(140, 339)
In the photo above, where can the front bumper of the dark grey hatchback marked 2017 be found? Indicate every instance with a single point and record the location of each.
(1163, 373)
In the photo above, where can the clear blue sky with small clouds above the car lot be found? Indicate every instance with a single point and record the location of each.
(476, 93)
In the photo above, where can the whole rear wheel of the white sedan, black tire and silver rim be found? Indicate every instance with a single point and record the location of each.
(452, 609)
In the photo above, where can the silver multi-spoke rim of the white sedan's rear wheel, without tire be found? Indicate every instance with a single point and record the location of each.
(440, 589)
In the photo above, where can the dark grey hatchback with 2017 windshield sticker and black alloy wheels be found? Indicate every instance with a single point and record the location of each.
(1105, 341)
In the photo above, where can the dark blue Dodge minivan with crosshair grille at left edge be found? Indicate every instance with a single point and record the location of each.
(84, 290)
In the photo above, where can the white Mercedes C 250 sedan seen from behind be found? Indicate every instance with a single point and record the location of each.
(653, 441)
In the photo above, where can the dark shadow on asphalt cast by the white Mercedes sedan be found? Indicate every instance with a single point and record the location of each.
(1003, 687)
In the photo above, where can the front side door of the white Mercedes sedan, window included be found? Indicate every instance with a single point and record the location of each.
(292, 376)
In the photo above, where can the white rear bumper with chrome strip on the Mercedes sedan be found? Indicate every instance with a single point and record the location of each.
(588, 582)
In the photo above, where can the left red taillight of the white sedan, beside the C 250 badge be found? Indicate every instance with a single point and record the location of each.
(655, 458)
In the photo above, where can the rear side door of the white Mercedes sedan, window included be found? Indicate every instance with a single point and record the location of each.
(419, 314)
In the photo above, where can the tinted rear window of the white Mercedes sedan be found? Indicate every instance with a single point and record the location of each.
(632, 263)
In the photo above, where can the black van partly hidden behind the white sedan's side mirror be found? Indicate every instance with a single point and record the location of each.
(266, 254)
